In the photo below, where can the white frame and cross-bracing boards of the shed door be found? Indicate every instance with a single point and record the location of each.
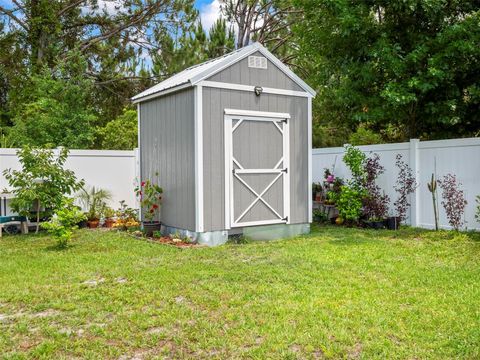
(246, 115)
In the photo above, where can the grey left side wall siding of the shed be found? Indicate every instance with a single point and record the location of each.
(167, 147)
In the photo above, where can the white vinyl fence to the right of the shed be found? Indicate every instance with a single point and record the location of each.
(460, 157)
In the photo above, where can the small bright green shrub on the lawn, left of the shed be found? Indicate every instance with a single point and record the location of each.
(64, 222)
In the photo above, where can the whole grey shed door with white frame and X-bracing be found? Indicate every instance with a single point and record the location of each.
(256, 162)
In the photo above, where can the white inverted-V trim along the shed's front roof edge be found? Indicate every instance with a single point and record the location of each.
(243, 54)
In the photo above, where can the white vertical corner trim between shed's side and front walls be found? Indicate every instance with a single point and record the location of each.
(199, 217)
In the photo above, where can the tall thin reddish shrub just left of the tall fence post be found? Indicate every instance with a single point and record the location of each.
(404, 186)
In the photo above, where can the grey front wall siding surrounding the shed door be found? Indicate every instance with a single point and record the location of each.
(214, 103)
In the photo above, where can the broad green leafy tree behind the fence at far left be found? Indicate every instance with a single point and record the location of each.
(55, 112)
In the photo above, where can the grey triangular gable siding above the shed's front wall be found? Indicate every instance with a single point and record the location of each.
(240, 73)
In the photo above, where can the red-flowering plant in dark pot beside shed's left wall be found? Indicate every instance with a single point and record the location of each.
(150, 195)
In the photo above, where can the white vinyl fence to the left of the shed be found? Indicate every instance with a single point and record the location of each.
(112, 170)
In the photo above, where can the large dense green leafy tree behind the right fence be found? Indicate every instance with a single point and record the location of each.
(407, 69)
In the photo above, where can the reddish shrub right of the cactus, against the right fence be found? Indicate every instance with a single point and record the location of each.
(453, 201)
